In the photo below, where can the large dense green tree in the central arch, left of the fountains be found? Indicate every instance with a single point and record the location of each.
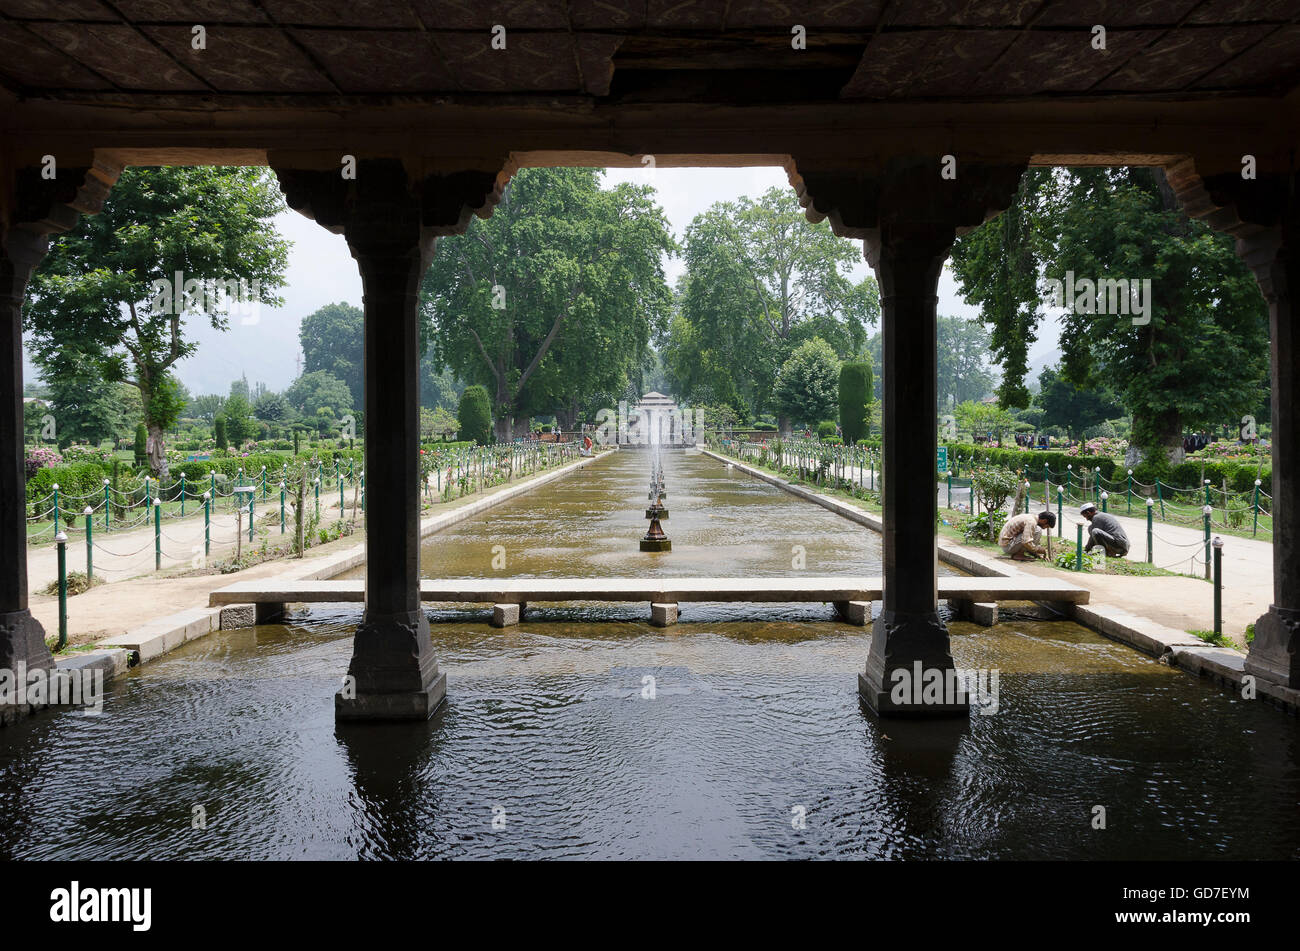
(551, 302)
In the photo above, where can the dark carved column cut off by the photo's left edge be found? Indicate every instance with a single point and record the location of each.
(32, 209)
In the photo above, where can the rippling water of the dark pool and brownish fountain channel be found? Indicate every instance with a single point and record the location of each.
(755, 723)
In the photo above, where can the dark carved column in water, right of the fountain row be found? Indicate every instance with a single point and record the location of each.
(908, 216)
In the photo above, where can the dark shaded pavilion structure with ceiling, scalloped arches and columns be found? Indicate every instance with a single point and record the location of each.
(882, 99)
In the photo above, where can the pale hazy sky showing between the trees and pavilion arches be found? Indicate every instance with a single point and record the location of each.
(322, 272)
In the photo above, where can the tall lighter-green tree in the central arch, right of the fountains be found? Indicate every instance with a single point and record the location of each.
(761, 280)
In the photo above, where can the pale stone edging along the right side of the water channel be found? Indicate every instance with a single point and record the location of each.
(1224, 666)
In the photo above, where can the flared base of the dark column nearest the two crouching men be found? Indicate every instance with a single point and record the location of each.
(911, 672)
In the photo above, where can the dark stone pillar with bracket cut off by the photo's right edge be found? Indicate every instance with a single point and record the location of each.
(1264, 216)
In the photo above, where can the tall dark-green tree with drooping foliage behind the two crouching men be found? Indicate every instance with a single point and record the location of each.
(1188, 350)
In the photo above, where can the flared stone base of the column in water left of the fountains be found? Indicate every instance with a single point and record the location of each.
(393, 675)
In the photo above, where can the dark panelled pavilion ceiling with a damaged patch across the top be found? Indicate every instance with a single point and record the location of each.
(647, 51)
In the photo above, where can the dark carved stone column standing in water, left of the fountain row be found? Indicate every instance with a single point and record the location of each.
(391, 223)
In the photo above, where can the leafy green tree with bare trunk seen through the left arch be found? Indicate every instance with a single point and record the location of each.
(172, 245)
